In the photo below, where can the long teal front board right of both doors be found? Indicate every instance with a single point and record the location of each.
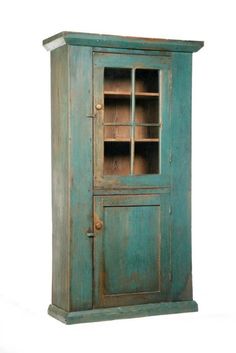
(181, 178)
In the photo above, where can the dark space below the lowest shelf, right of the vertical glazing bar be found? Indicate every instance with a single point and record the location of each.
(146, 160)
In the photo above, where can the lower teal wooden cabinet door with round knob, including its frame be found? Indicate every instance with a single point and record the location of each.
(131, 249)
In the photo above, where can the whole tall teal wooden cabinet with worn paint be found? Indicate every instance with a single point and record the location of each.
(121, 178)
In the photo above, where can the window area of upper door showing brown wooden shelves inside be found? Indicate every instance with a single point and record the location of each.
(131, 121)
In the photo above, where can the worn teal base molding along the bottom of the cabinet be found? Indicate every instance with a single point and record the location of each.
(124, 312)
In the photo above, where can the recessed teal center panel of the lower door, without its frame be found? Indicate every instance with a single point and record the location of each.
(132, 250)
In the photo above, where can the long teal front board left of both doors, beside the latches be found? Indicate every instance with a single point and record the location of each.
(81, 176)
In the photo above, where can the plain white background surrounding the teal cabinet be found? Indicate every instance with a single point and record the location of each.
(25, 227)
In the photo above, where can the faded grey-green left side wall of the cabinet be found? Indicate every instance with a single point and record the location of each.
(59, 111)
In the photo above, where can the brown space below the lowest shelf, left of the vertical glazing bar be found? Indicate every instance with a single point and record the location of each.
(116, 158)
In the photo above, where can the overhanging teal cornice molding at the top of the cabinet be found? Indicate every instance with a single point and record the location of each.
(112, 41)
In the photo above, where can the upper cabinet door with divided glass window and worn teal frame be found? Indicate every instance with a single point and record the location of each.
(129, 117)
